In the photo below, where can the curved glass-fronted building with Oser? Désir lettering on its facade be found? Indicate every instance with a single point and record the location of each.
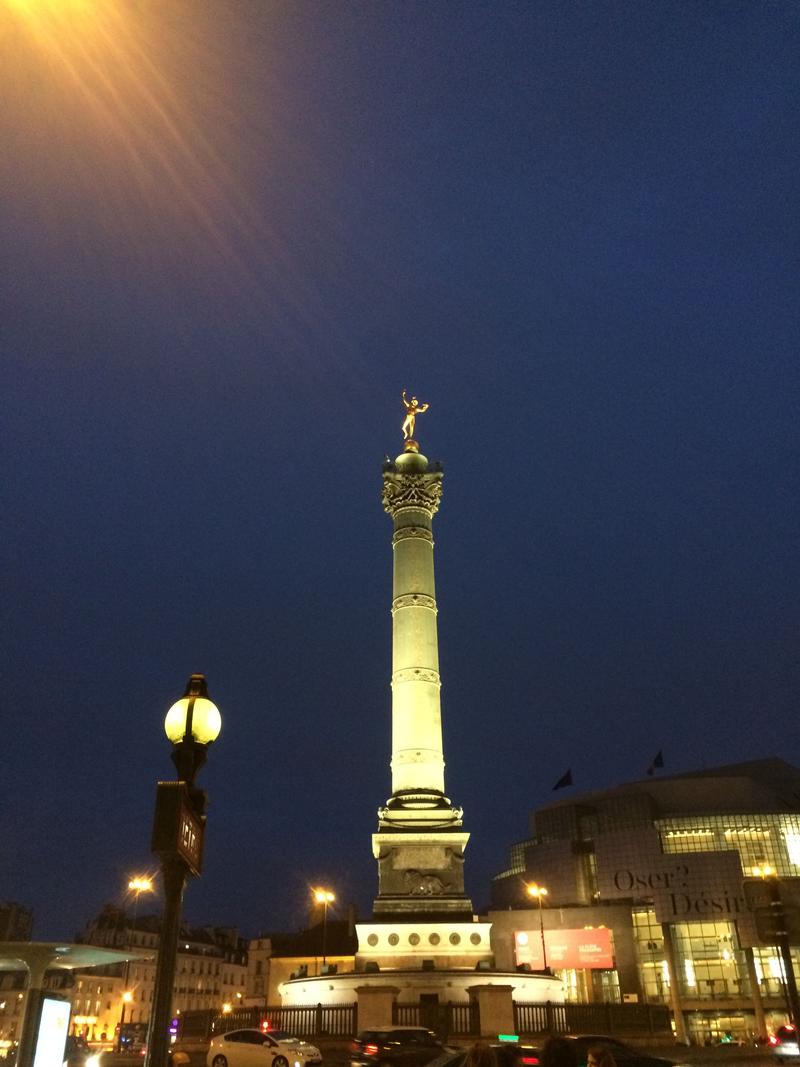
(678, 873)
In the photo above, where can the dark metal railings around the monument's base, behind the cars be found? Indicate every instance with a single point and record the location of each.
(341, 1022)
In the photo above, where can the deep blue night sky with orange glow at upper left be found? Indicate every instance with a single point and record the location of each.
(231, 234)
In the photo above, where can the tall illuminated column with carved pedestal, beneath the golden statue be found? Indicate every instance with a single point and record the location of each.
(420, 846)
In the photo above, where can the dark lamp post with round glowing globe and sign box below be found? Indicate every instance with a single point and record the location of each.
(193, 724)
